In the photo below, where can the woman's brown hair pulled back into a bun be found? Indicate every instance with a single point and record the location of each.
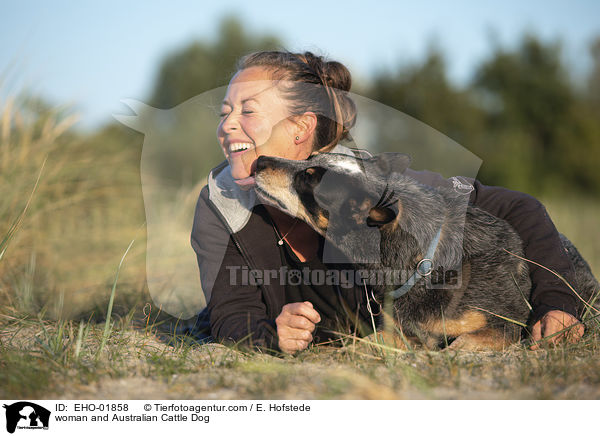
(328, 99)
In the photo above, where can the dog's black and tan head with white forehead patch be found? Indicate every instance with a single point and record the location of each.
(344, 198)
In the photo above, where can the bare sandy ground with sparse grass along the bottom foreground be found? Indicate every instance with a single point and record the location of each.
(139, 365)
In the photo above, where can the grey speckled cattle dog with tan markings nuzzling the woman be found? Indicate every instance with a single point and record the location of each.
(379, 218)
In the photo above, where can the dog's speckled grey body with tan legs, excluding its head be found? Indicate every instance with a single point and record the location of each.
(489, 302)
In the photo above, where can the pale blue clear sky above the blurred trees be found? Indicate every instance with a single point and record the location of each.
(91, 55)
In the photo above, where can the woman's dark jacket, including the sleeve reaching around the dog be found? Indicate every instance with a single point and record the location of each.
(241, 312)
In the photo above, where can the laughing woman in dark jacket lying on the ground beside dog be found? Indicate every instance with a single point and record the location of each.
(302, 114)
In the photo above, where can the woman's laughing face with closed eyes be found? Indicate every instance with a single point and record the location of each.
(255, 121)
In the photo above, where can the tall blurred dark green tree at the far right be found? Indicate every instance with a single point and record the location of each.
(538, 135)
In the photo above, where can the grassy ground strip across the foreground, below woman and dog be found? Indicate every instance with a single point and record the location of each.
(41, 359)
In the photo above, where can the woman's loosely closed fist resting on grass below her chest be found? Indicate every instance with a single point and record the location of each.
(295, 325)
